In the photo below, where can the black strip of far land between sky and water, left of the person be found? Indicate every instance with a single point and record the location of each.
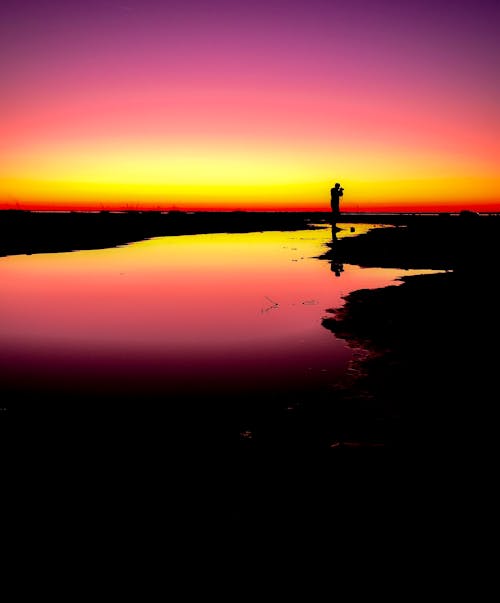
(49, 232)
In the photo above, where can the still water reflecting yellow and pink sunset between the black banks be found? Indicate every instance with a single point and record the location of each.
(172, 316)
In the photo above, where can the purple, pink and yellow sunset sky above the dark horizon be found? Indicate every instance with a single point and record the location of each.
(197, 104)
